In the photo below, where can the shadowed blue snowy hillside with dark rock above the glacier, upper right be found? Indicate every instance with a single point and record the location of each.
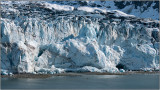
(142, 9)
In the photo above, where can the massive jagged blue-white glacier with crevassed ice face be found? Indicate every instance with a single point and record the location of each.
(37, 37)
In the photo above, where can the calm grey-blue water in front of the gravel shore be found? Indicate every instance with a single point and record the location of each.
(140, 81)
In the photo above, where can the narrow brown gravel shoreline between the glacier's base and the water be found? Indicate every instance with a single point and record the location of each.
(27, 75)
